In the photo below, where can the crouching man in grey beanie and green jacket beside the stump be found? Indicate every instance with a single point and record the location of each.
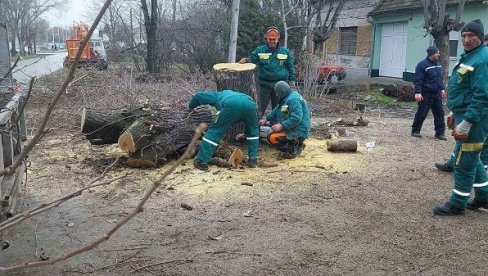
(289, 121)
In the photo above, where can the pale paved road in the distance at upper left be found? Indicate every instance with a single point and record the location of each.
(41, 66)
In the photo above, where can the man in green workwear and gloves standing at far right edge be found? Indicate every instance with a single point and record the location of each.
(468, 101)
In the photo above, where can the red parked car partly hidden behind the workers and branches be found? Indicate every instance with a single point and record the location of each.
(320, 71)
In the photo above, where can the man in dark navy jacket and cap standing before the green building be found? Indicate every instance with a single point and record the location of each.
(429, 93)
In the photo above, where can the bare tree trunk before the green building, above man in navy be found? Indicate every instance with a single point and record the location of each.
(439, 24)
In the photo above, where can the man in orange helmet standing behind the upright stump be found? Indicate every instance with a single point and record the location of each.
(275, 63)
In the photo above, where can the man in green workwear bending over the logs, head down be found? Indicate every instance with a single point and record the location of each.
(232, 107)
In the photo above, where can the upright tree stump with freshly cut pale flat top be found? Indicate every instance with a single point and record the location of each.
(240, 78)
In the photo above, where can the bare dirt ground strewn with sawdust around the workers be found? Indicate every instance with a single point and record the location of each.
(322, 213)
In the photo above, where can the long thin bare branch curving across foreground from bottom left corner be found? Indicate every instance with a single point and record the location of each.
(138, 209)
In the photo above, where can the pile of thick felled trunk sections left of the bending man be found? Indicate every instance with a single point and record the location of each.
(149, 134)
